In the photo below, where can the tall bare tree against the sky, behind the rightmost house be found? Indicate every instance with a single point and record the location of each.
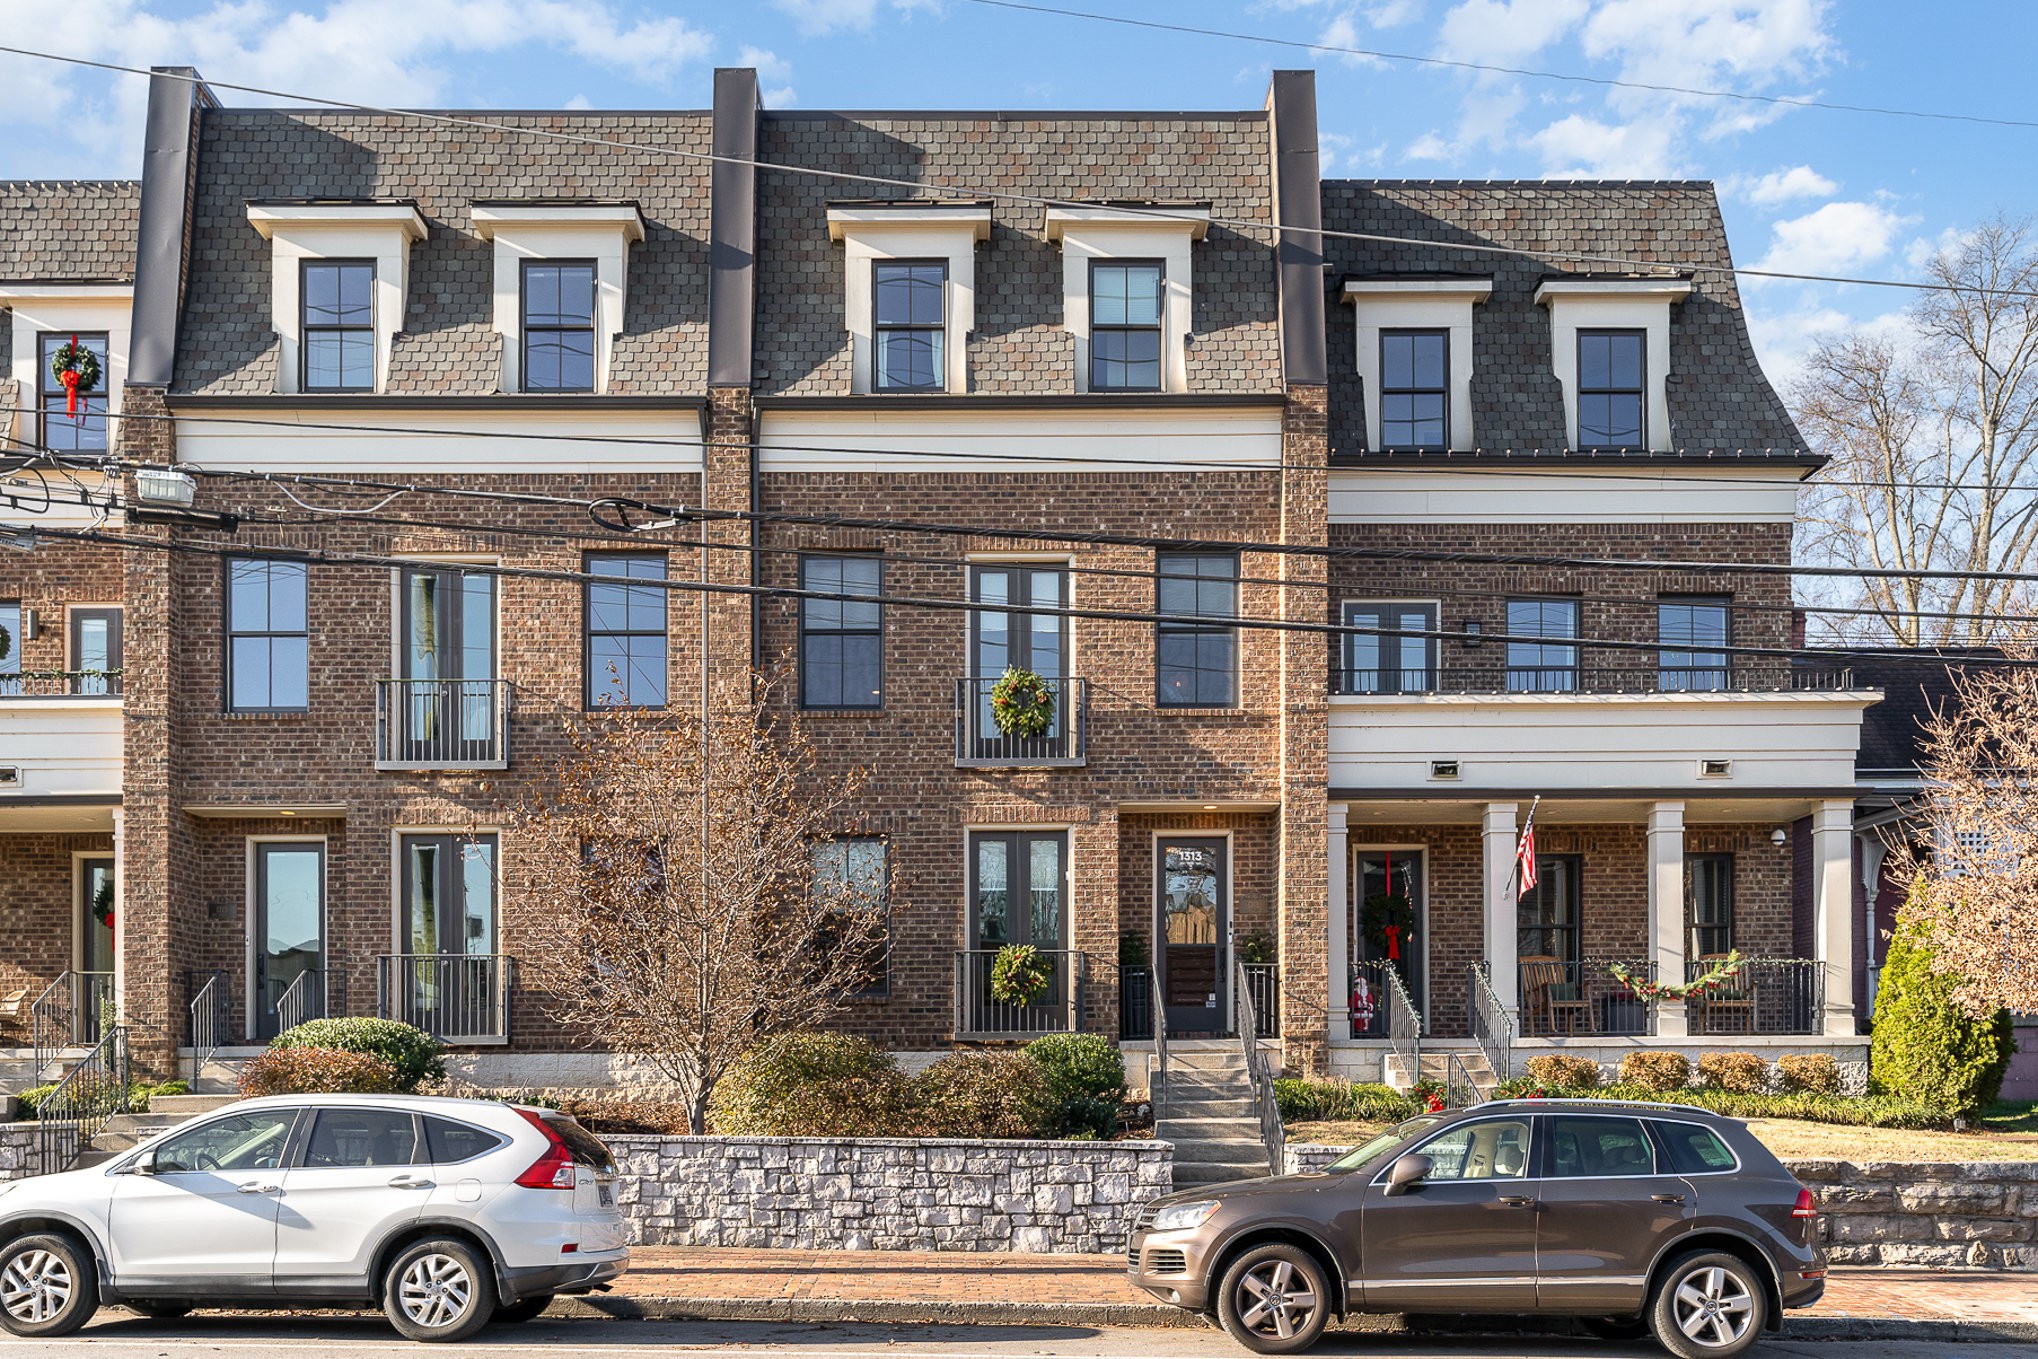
(1933, 445)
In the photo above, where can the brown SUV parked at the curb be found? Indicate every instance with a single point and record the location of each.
(1631, 1217)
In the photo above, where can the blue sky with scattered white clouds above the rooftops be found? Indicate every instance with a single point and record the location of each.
(1813, 191)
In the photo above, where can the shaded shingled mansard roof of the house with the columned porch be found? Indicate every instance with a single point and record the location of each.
(1719, 398)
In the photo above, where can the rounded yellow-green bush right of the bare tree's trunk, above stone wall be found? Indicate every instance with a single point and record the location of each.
(812, 1085)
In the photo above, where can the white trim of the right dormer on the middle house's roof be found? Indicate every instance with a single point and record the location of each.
(1106, 233)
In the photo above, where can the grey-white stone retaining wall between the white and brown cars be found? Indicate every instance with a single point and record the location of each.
(888, 1195)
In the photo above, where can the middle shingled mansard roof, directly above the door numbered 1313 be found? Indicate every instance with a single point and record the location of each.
(1020, 345)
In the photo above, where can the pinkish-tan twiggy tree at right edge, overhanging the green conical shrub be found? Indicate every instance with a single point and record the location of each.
(1976, 871)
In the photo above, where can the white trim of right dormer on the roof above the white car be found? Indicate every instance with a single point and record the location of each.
(521, 233)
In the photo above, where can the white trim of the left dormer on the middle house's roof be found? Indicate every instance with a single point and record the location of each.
(908, 231)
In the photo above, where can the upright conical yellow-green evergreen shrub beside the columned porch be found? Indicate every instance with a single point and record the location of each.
(1927, 1048)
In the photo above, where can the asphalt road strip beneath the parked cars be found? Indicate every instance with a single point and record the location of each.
(119, 1336)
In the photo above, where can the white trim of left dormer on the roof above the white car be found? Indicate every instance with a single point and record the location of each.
(297, 233)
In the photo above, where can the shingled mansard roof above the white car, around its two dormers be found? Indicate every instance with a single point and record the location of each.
(447, 343)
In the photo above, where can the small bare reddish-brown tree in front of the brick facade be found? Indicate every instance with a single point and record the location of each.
(686, 918)
